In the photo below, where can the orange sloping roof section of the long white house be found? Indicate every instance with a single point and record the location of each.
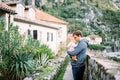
(40, 15)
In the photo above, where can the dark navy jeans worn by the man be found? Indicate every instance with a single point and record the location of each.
(78, 72)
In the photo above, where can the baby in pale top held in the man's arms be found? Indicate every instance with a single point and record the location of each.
(71, 46)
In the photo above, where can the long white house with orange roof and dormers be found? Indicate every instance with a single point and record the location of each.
(44, 27)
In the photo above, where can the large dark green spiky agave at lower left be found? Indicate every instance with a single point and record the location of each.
(21, 66)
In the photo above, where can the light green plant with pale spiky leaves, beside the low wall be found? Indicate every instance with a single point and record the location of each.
(43, 55)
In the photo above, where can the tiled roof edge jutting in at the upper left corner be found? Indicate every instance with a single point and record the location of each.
(6, 8)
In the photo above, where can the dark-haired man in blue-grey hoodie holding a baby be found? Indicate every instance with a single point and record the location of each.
(78, 67)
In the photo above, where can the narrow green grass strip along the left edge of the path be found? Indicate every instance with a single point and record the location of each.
(63, 69)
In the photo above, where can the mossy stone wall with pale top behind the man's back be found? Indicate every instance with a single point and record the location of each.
(100, 68)
